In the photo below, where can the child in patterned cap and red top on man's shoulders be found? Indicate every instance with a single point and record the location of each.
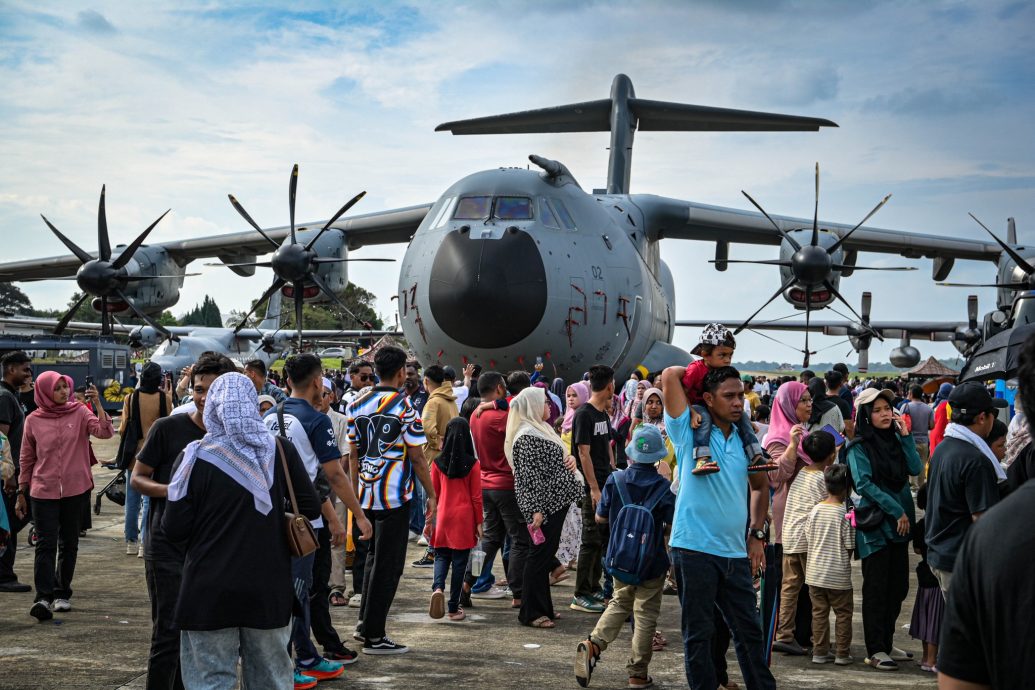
(716, 349)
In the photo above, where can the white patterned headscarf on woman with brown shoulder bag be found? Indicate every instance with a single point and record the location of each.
(236, 442)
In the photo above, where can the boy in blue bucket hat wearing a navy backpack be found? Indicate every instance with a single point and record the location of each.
(639, 506)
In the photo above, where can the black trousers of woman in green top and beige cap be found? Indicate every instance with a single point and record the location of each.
(885, 584)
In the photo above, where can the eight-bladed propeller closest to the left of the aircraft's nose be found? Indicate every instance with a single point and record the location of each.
(294, 263)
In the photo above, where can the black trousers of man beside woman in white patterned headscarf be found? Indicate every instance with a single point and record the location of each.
(164, 580)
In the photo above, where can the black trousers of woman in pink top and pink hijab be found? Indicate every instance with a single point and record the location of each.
(57, 525)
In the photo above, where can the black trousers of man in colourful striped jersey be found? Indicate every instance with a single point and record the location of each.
(386, 561)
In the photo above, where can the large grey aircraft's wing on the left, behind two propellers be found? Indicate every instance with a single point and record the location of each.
(392, 227)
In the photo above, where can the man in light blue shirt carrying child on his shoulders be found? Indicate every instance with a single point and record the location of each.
(716, 549)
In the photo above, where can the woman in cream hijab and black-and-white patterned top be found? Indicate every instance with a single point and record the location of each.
(547, 487)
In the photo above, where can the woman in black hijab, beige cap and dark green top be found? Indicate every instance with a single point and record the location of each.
(882, 458)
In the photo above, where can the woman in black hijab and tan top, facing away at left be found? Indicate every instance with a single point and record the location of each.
(154, 405)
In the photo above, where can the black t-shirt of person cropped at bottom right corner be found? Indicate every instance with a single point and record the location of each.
(987, 629)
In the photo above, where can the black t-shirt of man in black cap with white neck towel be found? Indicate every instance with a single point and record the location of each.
(962, 483)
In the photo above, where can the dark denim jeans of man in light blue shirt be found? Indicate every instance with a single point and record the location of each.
(705, 582)
